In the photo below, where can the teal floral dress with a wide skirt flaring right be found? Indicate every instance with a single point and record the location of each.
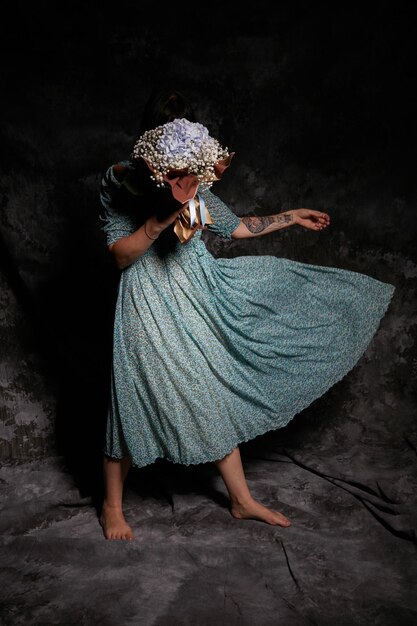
(211, 352)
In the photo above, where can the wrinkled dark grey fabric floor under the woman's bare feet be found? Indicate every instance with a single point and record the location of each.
(348, 558)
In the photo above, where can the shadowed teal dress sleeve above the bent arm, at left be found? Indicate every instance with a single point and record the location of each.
(117, 222)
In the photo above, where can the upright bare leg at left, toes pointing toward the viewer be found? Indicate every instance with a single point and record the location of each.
(112, 519)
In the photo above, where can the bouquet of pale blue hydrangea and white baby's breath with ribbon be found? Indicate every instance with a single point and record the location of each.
(183, 156)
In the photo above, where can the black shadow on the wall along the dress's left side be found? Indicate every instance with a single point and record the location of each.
(83, 298)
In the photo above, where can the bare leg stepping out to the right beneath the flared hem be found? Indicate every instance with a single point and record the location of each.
(243, 506)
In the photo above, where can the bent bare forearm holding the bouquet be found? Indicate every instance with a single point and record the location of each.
(127, 249)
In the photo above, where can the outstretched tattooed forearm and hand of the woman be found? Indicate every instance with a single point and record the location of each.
(253, 226)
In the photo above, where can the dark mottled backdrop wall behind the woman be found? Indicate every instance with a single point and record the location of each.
(318, 105)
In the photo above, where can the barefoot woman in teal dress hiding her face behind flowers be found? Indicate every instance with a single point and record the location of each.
(209, 353)
